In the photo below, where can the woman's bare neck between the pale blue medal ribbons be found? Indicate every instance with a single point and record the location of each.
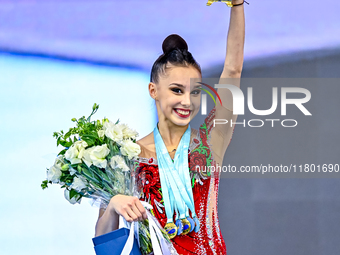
(171, 134)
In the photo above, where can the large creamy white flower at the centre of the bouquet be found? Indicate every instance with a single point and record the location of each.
(96, 156)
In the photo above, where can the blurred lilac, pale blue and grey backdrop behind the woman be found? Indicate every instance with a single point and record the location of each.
(57, 58)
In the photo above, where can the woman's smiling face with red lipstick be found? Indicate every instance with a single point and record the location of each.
(177, 100)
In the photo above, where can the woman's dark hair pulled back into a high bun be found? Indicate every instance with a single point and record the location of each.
(175, 52)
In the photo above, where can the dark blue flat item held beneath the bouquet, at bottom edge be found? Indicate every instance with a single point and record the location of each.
(113, 243)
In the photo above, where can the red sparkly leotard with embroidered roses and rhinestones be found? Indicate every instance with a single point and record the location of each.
(208, 240)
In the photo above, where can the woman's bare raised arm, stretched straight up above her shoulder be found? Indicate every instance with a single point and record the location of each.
(222, 133)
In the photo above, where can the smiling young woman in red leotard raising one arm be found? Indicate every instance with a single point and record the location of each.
(177, 102)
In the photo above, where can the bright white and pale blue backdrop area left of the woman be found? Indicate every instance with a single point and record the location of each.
(40, 96)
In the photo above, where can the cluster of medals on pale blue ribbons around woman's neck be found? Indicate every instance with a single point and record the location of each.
(176, 186)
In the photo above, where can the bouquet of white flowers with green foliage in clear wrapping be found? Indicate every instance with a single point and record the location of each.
(98, 162)
